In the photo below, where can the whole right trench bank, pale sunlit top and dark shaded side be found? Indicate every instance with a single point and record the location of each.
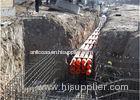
(119, 53)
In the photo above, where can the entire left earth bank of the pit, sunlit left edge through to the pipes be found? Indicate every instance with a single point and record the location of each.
(55, 31)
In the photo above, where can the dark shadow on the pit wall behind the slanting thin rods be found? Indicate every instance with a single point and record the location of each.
(43, 35)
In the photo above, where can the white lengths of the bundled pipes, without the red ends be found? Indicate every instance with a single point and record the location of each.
(90, 42)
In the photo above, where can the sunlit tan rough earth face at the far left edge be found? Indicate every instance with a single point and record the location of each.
(12, 53)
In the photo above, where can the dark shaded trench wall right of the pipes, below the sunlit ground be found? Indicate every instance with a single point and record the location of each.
(122, 49)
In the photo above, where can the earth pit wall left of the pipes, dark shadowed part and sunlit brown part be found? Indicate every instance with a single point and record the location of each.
(56, 31)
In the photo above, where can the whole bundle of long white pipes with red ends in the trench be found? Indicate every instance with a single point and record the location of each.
(82, 62)
